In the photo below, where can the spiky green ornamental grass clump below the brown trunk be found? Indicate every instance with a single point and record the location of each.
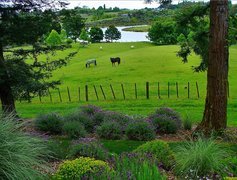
(201, 158)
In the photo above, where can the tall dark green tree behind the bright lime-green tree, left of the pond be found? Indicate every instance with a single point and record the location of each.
(72, 22)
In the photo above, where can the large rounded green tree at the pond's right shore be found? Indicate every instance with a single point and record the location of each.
(163, 32)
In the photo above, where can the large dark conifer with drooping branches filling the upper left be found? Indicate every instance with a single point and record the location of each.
(22, 22)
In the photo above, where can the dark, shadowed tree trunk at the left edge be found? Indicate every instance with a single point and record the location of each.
(6, 96)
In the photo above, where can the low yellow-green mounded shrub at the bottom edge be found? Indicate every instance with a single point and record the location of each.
(81, 168)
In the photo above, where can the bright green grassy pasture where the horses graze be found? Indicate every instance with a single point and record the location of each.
(145, 62)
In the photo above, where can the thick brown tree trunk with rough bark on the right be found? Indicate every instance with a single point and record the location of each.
(215, 114)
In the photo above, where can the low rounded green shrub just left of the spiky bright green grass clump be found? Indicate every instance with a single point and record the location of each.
(160, 150)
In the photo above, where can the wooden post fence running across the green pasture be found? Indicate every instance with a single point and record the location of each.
(126, 91)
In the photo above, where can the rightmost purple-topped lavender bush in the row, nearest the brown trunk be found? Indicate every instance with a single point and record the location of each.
(165, 120)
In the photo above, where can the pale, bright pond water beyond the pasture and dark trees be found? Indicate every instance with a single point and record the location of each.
(129, 36)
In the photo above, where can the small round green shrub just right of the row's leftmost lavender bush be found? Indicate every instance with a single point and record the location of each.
(74, 129)
